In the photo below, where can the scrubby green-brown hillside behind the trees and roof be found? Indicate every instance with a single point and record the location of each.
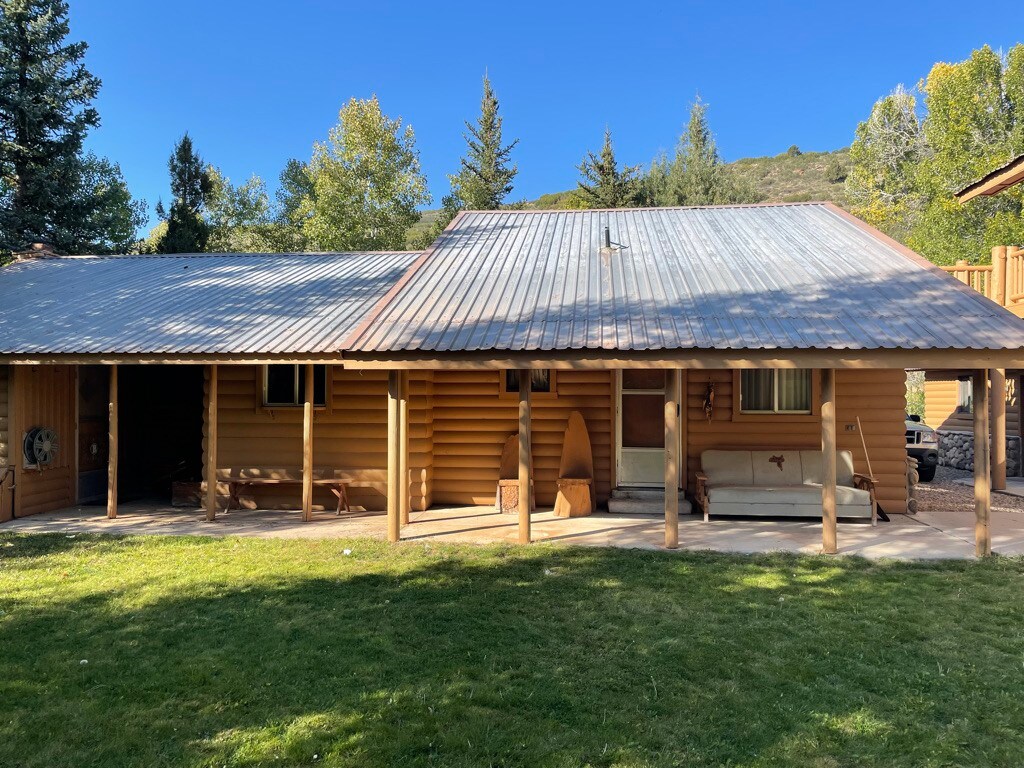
(782, 179)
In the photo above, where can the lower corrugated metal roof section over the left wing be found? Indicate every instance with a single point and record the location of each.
(192, 305)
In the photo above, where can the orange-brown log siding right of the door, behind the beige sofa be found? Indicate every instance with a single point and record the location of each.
(877, 397)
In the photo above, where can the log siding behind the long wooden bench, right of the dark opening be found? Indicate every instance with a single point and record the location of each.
(353, 435)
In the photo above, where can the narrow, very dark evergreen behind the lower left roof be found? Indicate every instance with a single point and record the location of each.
(192, 187)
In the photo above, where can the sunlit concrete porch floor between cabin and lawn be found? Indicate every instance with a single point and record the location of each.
(942, 534)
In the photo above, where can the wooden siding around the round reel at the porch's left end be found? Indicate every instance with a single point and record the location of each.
(45, 397)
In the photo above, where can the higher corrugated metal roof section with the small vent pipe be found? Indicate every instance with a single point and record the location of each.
(788, 277)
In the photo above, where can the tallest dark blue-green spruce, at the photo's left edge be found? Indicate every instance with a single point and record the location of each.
(46, 113)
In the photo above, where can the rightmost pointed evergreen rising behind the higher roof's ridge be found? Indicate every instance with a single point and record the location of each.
(697, 176)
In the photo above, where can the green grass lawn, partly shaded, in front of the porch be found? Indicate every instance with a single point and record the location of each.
(168, 652)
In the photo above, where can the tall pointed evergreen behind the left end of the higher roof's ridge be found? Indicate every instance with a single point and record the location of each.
(486, 178)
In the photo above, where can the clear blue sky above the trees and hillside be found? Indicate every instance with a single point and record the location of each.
(258, 82)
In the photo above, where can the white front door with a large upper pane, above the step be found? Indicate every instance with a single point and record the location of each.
(641, 429)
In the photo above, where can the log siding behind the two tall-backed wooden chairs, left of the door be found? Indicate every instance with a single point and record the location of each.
(473, 420)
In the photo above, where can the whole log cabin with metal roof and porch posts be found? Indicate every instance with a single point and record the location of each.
(392, 381)
